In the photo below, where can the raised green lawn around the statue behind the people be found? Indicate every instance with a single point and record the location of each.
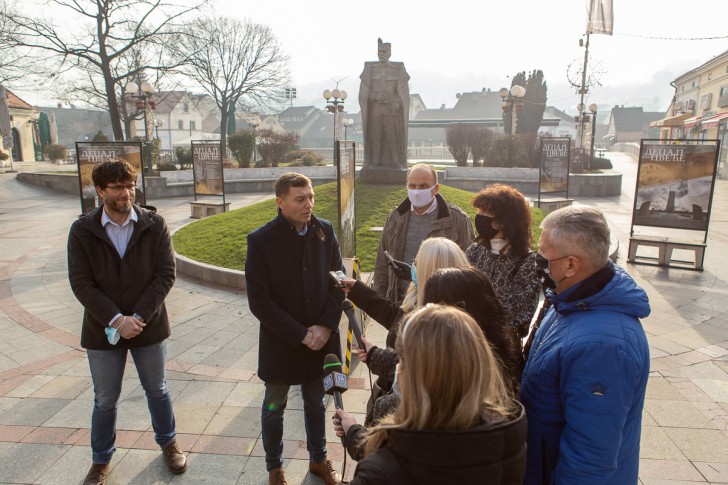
(221, 240)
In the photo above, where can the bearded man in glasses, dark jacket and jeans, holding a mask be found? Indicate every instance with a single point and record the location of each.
(121, 267)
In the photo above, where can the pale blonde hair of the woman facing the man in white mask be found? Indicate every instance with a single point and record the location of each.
(434, 253)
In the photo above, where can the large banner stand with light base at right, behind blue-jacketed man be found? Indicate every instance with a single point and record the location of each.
(674, 191)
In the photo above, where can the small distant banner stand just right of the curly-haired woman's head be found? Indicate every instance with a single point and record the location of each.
(553, 173)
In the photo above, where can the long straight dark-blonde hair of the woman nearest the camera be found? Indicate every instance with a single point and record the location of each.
(449, 377)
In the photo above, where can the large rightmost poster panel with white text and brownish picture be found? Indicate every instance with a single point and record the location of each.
(675, 183)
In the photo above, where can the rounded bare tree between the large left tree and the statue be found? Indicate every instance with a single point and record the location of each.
(235, 62)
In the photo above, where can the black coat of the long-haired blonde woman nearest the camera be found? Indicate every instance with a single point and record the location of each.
(490, 453)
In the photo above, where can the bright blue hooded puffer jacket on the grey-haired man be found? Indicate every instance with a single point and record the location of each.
(584, 386)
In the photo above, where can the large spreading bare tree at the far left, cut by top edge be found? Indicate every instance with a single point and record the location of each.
(106, 34)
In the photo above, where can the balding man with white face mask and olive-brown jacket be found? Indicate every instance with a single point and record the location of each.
(423, 214)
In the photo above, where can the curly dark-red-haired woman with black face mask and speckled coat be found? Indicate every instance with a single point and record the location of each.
(502, 250)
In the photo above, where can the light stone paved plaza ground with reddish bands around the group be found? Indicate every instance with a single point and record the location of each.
(46, 396)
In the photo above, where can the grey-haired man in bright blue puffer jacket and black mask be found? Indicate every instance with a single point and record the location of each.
(585, 379)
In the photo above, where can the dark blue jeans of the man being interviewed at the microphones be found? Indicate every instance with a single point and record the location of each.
(314, 414)
